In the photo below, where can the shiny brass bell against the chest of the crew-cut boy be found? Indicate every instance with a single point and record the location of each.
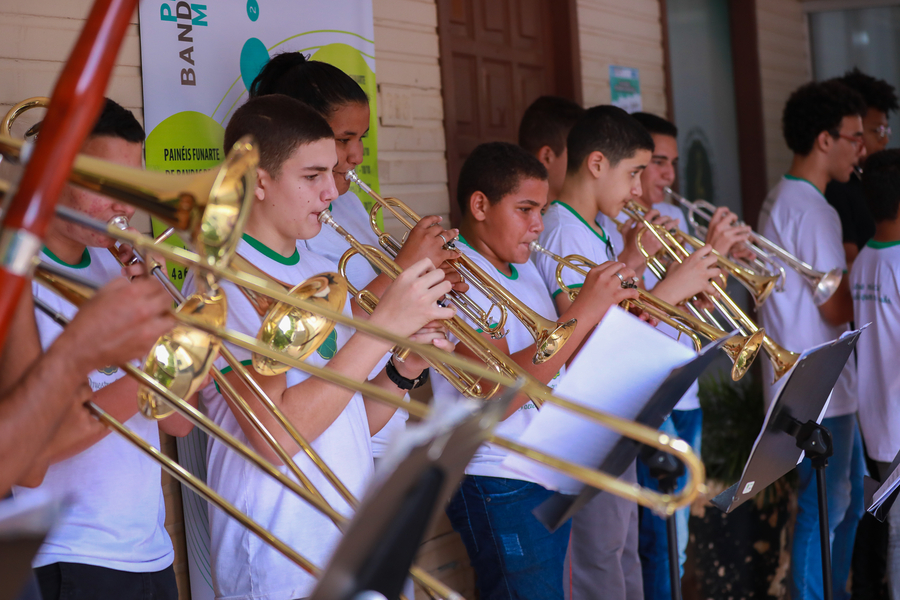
(298, 333)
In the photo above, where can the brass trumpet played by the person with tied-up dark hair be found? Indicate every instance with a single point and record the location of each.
(549, 336)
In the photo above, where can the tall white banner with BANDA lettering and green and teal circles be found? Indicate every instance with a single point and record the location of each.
(198, 62)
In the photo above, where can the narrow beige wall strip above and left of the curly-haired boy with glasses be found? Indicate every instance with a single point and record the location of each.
(785, 65)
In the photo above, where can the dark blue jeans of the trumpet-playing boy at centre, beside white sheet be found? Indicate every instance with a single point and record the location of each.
(512, 553)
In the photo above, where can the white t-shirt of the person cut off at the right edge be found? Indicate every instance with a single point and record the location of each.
(875, 284)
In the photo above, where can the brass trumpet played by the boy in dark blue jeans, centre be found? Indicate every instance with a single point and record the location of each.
(742, 350)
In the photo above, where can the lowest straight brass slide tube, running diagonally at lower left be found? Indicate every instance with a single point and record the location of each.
(203, 490)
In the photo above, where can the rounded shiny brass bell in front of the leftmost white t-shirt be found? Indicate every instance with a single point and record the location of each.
(181, 358)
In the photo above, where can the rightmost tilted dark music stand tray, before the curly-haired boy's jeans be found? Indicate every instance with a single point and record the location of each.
(802, 399)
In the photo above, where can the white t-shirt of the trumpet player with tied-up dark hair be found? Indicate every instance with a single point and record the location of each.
(348, 211)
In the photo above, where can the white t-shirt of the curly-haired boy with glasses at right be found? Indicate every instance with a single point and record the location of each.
(797, 217)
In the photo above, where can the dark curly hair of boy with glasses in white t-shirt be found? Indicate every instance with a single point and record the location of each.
(817, 107)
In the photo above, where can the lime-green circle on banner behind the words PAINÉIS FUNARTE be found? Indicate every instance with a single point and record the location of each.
(186, 142)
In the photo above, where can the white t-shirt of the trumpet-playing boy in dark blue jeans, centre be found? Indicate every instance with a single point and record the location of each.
(526, 285)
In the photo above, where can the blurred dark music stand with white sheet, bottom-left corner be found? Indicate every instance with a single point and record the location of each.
(23, 527)
